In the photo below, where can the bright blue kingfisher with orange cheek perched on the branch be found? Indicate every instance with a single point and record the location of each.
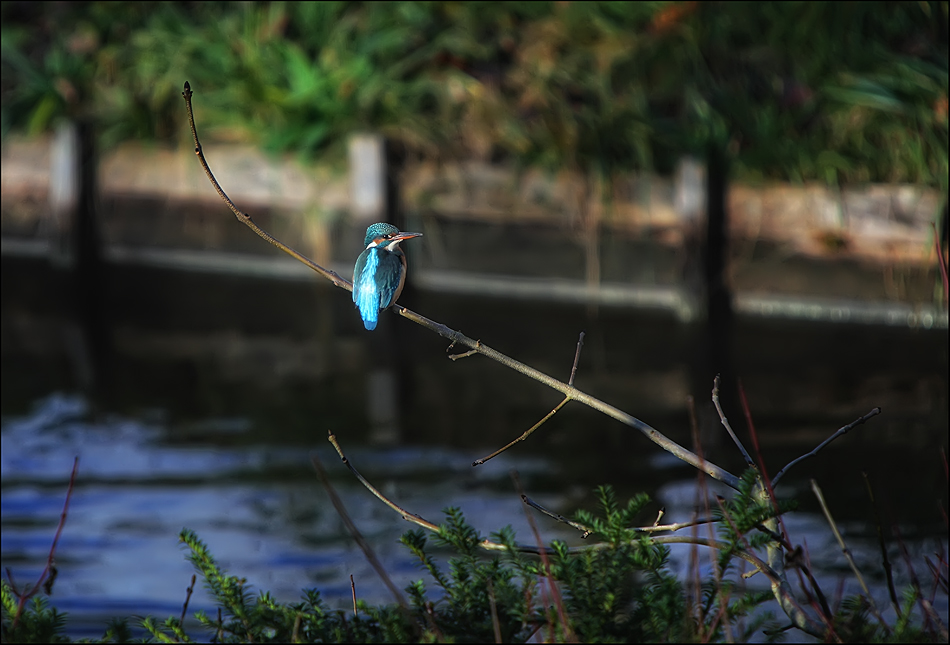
(380, 271)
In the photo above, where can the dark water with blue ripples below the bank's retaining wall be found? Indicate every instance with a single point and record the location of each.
(200, 400)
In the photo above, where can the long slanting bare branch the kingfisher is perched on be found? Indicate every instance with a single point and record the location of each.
(568, 391)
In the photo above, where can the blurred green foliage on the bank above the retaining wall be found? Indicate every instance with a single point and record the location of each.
(836, 92)
